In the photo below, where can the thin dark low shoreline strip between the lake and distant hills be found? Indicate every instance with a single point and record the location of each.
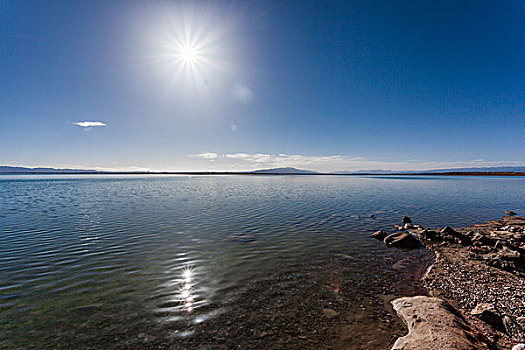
(266, 174)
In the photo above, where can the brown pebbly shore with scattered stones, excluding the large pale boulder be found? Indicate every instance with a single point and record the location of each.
(480, 271)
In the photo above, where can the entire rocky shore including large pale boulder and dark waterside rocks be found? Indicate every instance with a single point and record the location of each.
(476, 286)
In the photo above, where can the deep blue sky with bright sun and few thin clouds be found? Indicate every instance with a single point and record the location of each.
(240, 85)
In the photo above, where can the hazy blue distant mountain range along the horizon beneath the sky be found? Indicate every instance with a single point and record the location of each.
(281, 171)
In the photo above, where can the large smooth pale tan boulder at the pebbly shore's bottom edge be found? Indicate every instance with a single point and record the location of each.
(434, 324)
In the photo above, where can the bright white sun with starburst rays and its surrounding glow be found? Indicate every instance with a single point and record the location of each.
(191, 55)
